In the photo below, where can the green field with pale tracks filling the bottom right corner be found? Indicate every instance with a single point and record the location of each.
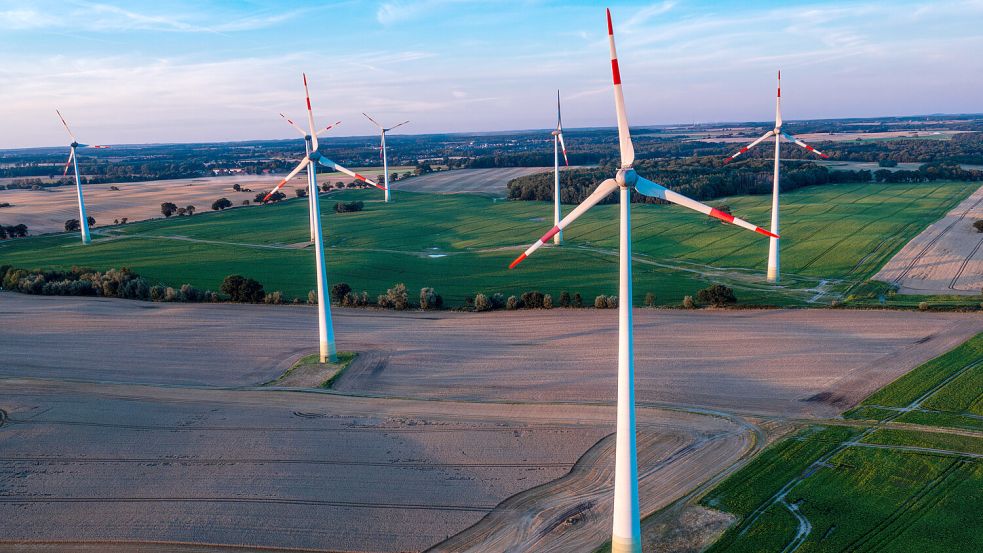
(875, 489)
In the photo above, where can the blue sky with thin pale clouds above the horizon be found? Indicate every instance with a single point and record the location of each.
(204, 71)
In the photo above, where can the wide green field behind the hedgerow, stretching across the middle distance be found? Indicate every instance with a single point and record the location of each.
(834, 237)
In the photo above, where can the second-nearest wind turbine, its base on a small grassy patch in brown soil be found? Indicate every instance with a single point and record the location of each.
(328, 351)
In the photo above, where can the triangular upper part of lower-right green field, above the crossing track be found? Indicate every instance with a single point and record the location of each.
(946, 391)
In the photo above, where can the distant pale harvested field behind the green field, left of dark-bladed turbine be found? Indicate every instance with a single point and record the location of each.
(486, 182)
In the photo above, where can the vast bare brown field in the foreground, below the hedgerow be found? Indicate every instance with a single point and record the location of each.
(137, 427)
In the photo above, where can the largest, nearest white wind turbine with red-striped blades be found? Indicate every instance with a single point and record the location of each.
(626, 530)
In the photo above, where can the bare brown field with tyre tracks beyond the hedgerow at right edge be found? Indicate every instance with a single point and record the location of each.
(946, 258)
